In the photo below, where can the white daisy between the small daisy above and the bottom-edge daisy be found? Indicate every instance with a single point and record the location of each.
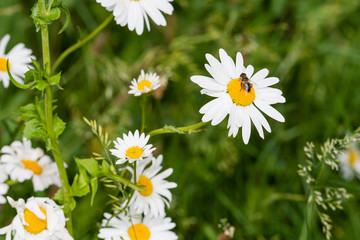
(156, 194)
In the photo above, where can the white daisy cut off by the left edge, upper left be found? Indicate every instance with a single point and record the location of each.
(19, 59)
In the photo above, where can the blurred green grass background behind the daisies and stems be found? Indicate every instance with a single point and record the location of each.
(312, 46)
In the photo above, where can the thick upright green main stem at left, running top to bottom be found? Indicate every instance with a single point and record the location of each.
(49, 116)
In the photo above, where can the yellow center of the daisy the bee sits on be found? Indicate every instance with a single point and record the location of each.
(238, 94)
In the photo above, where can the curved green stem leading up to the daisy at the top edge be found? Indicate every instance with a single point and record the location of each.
(81, 42)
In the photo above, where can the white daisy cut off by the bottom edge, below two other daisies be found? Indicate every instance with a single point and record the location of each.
(133, 227)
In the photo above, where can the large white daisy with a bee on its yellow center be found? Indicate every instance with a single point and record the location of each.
(239, 94)
